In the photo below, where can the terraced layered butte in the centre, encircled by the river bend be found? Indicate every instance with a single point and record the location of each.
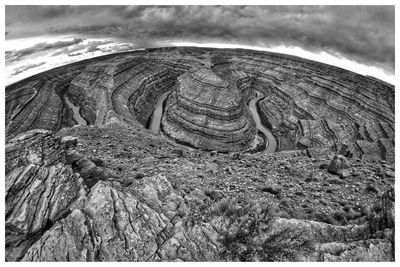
(208, 112)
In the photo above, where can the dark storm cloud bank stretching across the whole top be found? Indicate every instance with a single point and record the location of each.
(362, 33)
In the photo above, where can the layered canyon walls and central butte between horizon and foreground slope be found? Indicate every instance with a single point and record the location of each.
(307, 105)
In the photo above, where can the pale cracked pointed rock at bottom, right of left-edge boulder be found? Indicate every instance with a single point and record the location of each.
(118, 226)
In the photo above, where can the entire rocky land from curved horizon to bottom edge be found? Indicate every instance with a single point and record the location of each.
(87, 180)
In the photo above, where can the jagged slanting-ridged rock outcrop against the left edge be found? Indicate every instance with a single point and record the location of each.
(40, 188)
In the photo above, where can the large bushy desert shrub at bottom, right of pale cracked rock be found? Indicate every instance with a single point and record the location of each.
(249, 235)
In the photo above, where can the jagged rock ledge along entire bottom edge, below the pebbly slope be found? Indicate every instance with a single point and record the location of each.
(55, 214)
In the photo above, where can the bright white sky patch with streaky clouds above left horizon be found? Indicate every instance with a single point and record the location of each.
(37, 54)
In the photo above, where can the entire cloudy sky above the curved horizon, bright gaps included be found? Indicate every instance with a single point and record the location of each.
(360, 34)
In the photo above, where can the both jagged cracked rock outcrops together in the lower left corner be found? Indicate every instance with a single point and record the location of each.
(51, 216)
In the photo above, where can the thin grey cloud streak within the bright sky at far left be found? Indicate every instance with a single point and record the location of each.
(16, 55)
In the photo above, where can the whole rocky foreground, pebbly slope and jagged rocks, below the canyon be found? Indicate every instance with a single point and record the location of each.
(116, 193)
